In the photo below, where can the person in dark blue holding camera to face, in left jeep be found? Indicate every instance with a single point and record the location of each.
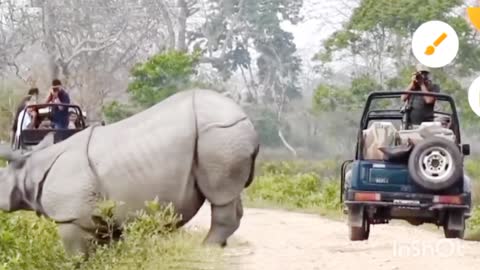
(58, 95)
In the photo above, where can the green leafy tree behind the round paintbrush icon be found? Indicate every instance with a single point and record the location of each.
(380, 31)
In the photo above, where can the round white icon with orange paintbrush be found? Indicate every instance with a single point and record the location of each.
(435, 44)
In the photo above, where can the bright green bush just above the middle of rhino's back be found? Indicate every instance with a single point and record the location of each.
(161, 76)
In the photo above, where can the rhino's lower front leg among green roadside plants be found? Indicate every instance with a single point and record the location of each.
(75, 239)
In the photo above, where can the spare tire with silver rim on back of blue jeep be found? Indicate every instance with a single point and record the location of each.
(435, 163)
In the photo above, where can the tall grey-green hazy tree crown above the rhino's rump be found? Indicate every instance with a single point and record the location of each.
(239, 24)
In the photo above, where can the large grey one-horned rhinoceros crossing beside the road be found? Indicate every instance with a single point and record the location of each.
(194, 146)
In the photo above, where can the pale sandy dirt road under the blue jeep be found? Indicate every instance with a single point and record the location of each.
(279, 240)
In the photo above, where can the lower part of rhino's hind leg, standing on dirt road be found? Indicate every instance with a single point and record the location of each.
(225, 221)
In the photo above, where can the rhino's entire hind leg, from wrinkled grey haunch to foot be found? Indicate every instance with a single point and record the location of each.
(226, 160)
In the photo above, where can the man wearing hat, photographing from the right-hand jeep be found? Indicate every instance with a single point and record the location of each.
(422, 107)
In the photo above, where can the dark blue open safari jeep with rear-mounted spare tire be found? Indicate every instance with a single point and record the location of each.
(412, 174)
